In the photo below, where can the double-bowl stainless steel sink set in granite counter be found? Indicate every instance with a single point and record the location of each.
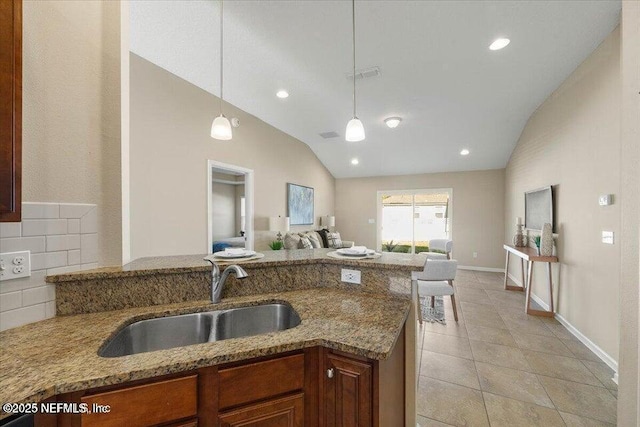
(187, 329)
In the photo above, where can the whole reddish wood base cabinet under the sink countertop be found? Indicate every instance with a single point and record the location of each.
(315, 387)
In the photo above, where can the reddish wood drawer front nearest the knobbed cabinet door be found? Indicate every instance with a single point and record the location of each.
(248, 383)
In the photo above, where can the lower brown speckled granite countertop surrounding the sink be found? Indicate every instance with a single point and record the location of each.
(59, 355)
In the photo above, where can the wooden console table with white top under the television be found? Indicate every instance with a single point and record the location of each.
(530, 255)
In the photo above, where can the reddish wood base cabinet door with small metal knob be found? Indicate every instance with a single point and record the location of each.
(348, 392)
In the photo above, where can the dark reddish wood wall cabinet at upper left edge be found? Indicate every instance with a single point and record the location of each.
(10, 110)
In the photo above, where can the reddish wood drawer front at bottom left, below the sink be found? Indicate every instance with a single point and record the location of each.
(145, 405)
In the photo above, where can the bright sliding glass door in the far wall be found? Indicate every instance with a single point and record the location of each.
(408, 219)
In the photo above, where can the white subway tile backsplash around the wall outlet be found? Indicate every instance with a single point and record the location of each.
(62, 238)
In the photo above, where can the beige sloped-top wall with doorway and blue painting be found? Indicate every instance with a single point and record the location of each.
(170, 146)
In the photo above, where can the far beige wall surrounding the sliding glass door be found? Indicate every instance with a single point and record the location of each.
(478, 210)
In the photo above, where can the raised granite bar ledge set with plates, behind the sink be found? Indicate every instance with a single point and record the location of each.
(195, 263)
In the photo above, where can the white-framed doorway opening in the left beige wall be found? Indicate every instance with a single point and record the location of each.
(230, 207)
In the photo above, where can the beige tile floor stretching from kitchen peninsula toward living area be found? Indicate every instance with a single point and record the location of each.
(500, 367)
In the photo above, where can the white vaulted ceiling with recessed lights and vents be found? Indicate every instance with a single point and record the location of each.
(437, 71)
